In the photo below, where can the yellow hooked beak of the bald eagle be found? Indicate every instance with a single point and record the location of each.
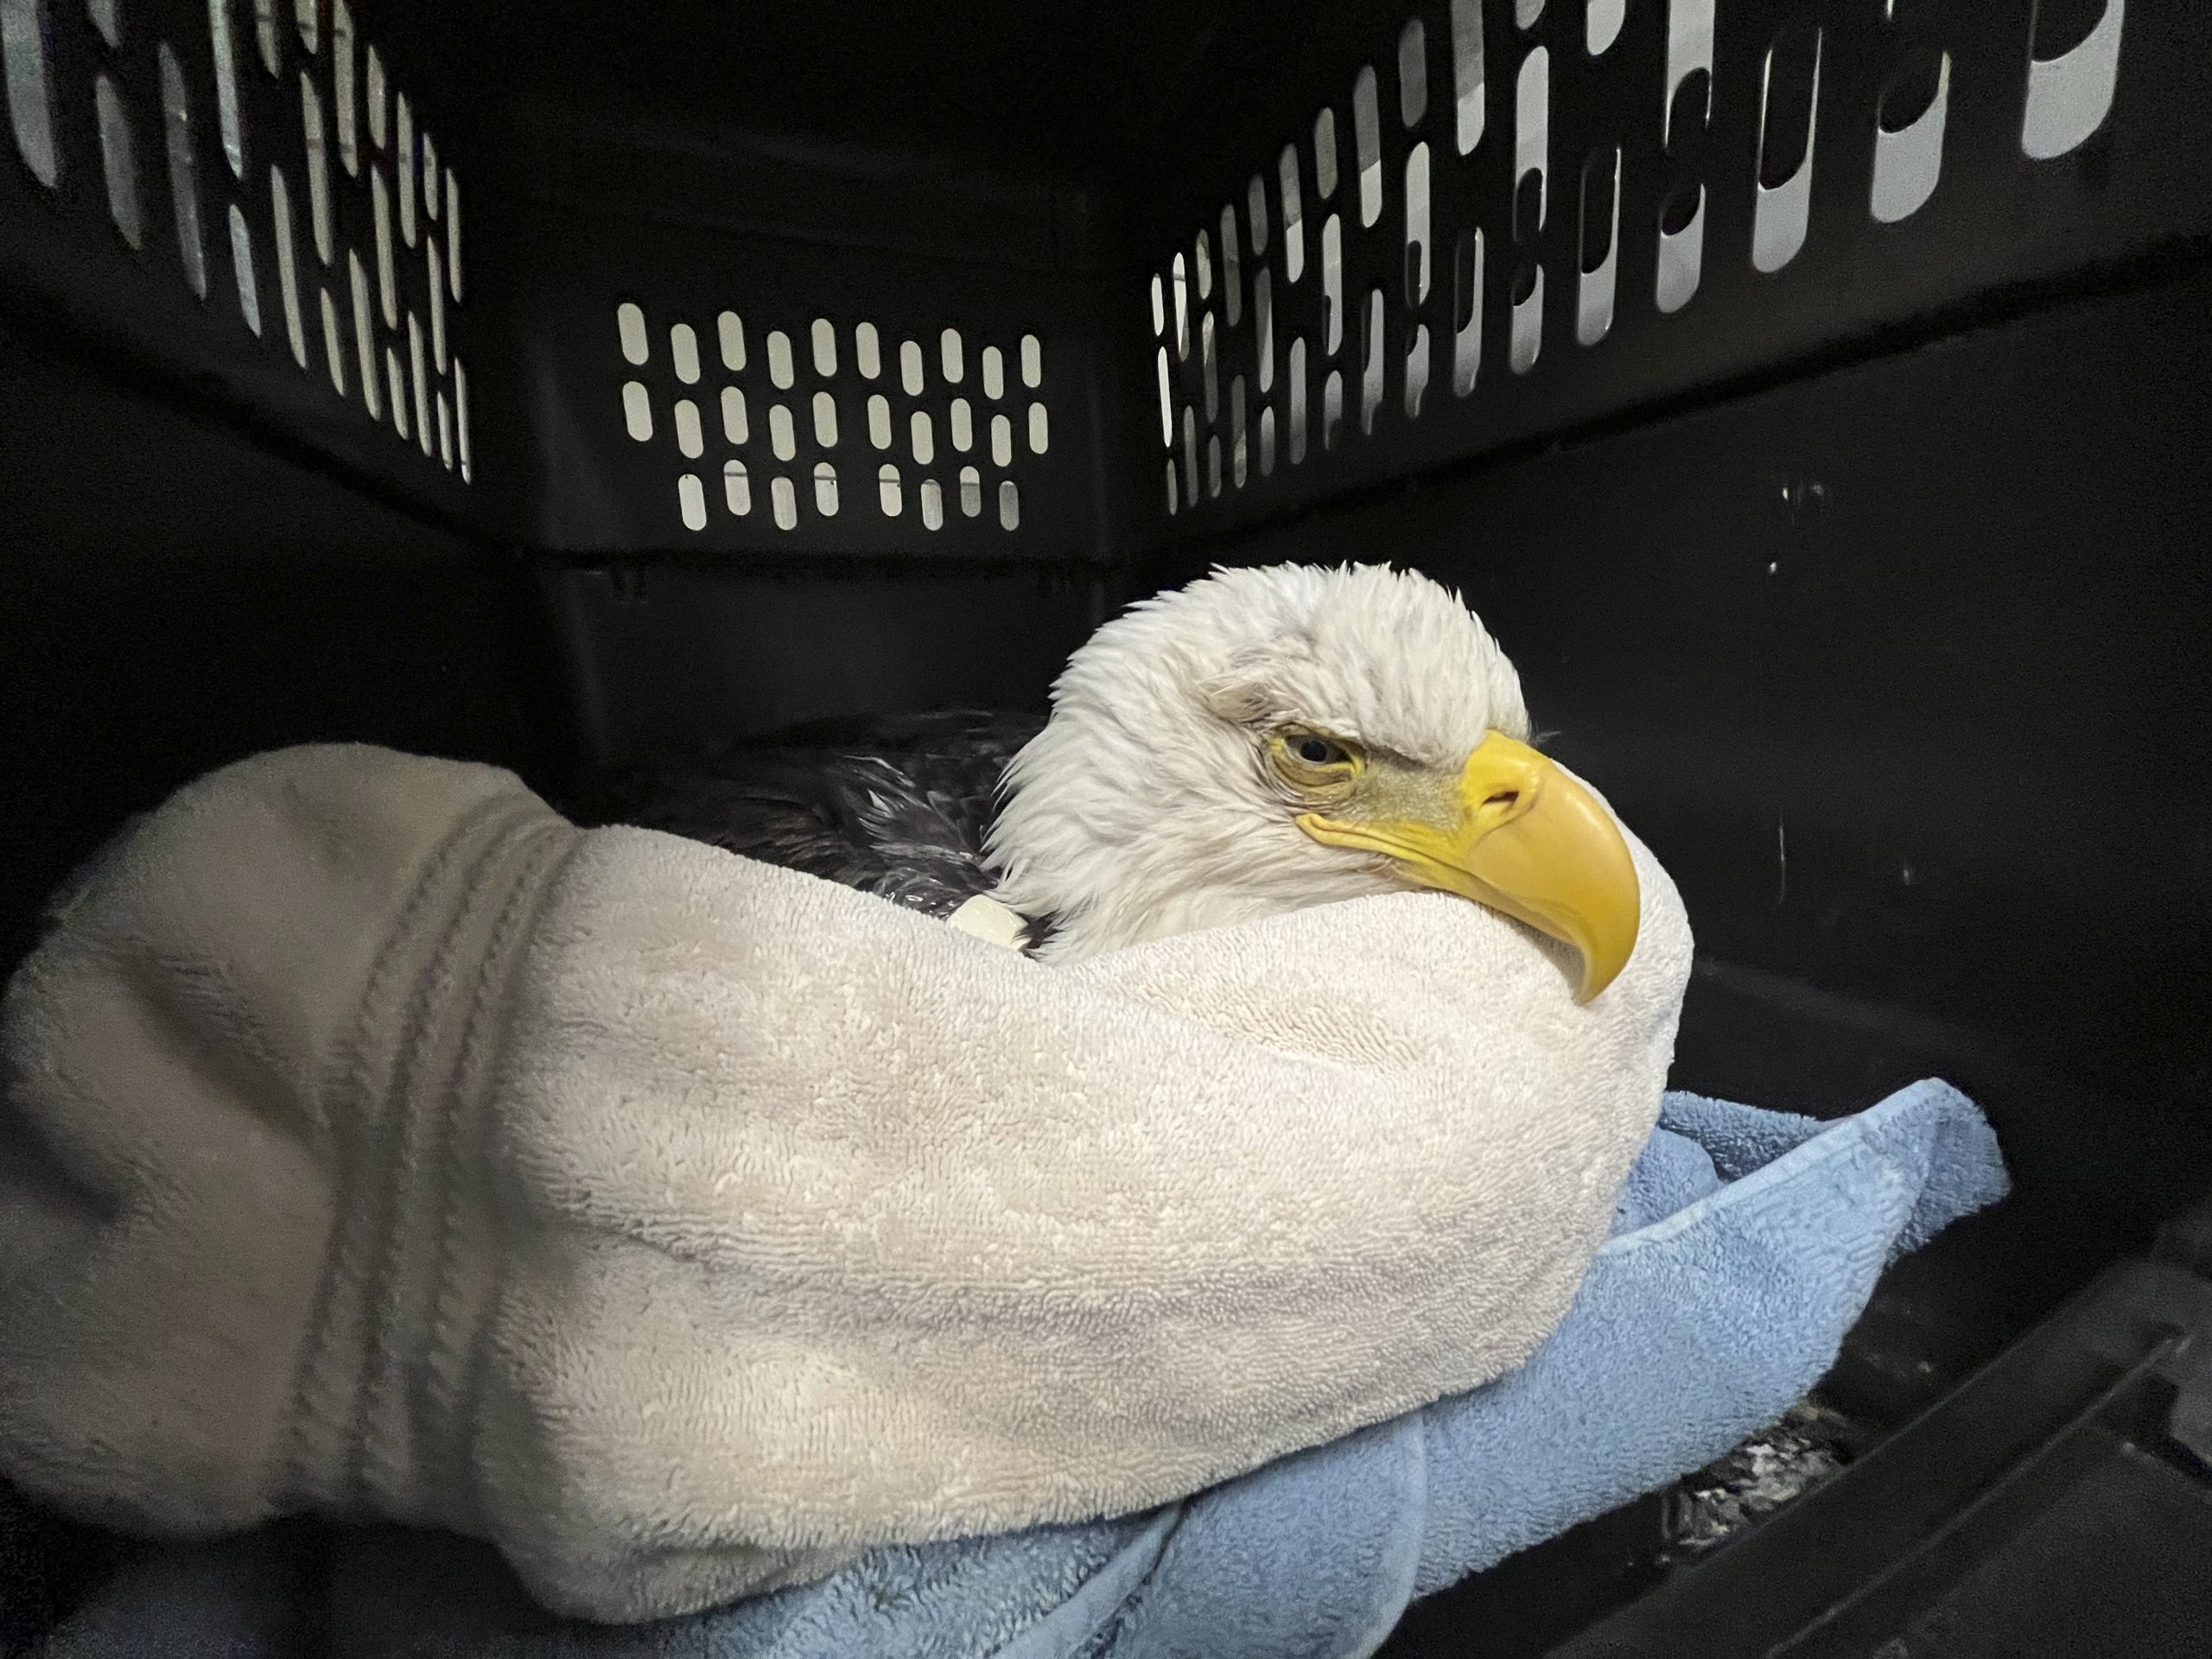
(1525, 839)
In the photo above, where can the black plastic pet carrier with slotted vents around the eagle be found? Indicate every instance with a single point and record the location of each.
(1813, 395)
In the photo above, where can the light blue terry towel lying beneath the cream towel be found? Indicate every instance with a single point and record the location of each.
(1744, 1246)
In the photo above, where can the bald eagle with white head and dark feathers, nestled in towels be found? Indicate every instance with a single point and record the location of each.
(1255, 742)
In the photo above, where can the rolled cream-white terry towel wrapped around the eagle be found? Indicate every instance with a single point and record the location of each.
(382, 1145)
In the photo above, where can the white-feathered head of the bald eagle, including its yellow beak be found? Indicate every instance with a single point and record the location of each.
(1280, 738)
